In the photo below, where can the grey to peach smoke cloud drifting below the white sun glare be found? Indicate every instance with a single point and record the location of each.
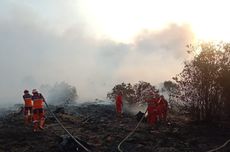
(37, 49)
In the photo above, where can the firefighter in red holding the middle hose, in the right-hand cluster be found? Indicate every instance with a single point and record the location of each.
(152, 110)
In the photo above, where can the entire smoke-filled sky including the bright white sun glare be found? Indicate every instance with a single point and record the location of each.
(94, 45)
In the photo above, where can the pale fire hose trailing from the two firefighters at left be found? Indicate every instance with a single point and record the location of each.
(74, 138)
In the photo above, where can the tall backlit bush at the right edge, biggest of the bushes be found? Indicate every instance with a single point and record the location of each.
(204, 82)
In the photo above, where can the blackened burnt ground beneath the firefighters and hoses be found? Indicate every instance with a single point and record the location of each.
(100, 130)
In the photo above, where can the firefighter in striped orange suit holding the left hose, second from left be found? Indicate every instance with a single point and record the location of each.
(38, 110)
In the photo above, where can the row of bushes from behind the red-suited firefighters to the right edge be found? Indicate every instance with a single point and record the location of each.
(203, 86)
